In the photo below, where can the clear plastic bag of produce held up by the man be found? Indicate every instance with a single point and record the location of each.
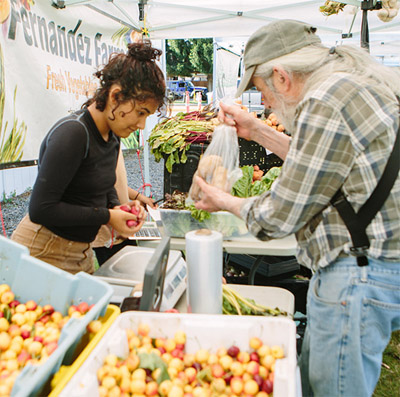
(219, 165)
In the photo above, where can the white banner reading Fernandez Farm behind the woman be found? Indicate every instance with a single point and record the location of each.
(47, 60)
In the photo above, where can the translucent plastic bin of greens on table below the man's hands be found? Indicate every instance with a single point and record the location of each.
(178, 222)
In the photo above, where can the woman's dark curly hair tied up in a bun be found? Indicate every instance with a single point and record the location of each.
(138, 75)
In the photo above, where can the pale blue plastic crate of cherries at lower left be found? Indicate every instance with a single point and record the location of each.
(30, 278)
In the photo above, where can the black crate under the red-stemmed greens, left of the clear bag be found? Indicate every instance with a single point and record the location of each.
(182, 174)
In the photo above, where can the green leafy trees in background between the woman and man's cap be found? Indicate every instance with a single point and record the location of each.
(186, 57)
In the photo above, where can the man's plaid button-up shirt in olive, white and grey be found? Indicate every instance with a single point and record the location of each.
(344, 133)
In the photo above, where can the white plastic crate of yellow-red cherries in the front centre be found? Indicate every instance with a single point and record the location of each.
(202, 332)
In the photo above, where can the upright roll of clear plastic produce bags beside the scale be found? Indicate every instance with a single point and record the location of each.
(204, 265)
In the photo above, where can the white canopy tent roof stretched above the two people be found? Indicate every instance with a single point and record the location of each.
(223, 19)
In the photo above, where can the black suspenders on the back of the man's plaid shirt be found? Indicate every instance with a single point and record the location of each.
(357, 223)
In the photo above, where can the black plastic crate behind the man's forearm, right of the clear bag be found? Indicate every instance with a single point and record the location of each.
(252, 153)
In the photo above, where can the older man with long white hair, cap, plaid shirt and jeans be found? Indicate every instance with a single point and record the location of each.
(341, 108)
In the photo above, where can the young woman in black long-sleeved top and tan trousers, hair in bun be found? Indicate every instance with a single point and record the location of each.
(74, 193)
